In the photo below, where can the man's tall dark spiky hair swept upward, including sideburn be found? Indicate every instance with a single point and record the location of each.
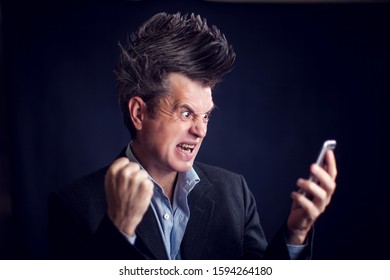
(168, 43)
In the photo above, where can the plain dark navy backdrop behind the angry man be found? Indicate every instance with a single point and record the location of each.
(304, 73)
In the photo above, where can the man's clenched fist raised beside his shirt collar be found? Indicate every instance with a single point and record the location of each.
(129, 192)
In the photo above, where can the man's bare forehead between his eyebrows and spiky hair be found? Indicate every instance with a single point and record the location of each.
(184, 91)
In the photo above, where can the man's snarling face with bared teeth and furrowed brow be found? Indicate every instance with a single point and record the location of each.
(171, 139)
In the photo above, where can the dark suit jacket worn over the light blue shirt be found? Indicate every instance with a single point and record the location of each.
(223, 224)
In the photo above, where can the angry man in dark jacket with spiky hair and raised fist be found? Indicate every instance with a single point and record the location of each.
(155, 201)
